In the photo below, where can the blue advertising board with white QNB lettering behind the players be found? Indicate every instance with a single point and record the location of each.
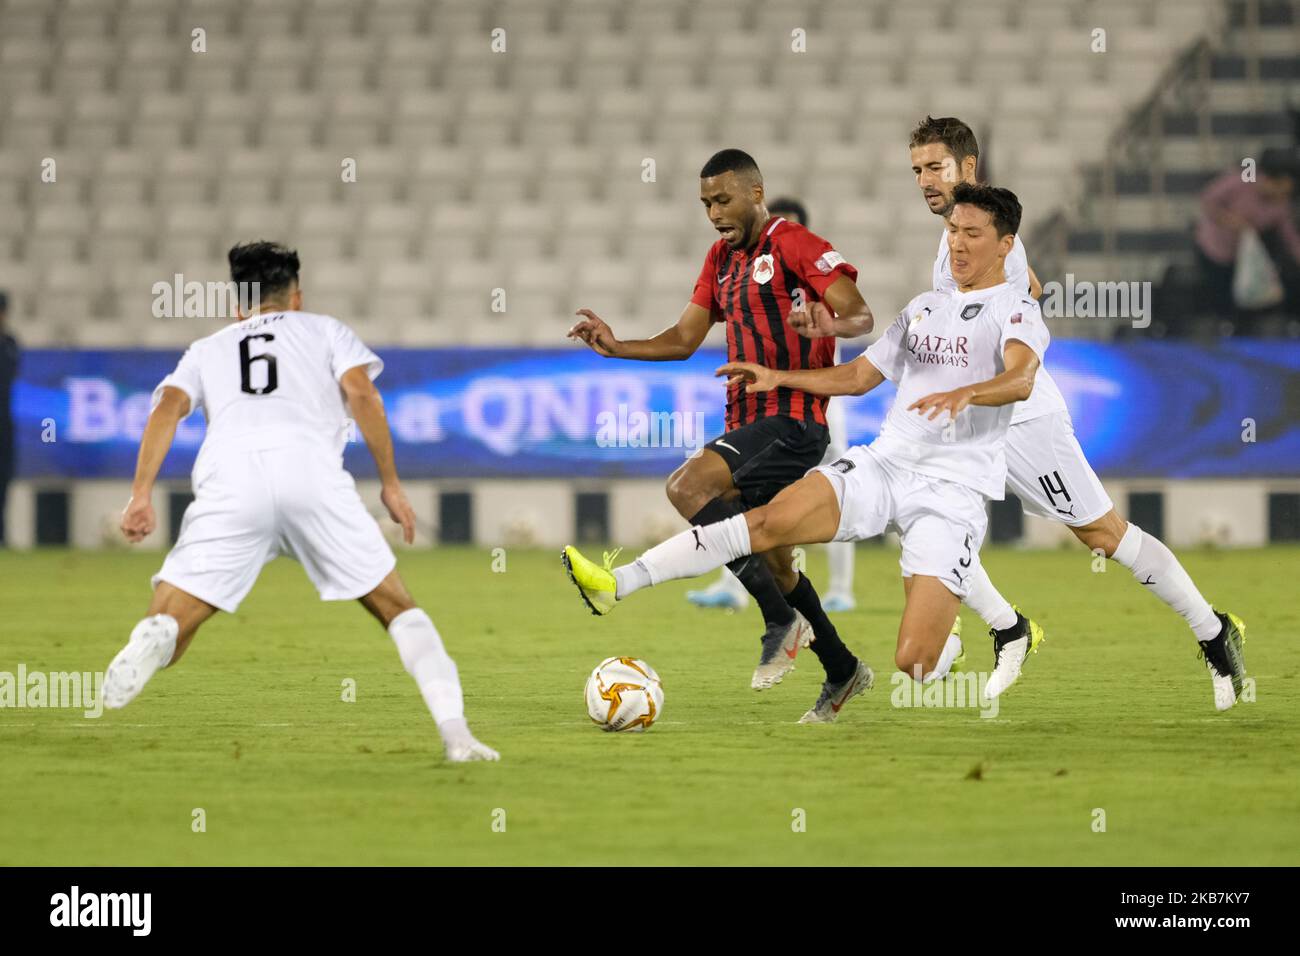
(1141, 410)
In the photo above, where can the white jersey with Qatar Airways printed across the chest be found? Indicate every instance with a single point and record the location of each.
(943, 341)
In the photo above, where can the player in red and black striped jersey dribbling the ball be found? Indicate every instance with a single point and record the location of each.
(783, 295)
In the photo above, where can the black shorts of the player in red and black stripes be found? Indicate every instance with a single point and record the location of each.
(769, 455)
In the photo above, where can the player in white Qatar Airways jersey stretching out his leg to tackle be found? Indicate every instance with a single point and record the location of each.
(961, 360)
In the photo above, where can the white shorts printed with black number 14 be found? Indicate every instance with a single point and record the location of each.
(1047, 470)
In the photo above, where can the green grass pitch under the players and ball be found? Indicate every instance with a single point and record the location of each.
(1115, 715)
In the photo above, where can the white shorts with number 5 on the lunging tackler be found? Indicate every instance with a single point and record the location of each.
(941, 524)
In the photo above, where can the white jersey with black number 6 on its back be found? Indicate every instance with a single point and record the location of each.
(272, 382)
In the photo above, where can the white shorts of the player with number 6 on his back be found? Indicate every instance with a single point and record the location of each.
(253, 507)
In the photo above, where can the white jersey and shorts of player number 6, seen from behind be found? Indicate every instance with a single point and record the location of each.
(270, 477)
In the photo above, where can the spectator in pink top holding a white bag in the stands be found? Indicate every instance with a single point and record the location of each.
(1230, 206)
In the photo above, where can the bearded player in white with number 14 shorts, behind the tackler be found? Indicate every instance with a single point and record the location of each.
(1046, 466)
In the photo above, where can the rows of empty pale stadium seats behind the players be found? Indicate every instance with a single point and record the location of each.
(467, 158)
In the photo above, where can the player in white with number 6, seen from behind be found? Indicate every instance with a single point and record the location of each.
(270, 479)
